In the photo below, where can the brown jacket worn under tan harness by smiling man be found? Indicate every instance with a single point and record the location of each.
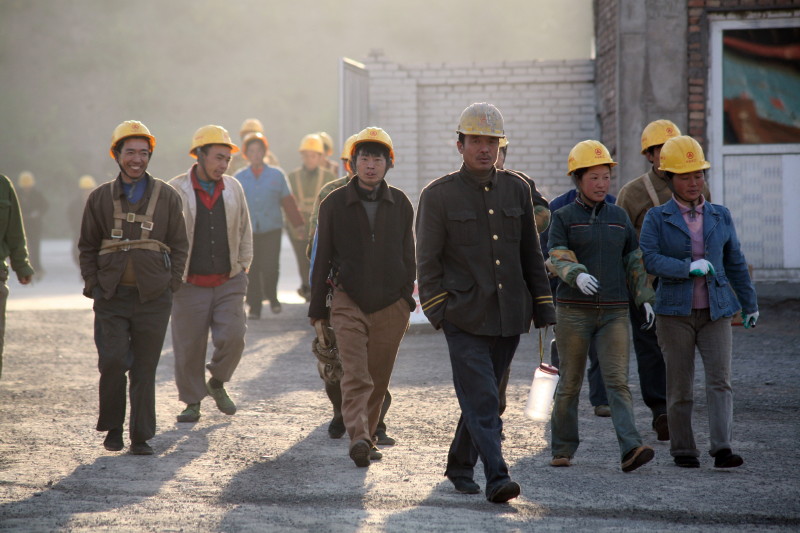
(154, 271)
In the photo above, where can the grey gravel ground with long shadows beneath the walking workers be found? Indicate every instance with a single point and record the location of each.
(272, 467)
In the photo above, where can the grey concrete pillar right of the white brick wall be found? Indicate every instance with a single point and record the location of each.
(641, 74)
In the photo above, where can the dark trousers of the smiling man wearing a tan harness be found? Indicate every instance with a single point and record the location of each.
(129, 336)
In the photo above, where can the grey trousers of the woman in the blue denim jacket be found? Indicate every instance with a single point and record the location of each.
(678, 336)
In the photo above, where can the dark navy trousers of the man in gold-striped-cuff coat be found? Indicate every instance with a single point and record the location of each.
(479, 362)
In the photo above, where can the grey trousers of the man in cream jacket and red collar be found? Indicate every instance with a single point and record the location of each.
(195, 311)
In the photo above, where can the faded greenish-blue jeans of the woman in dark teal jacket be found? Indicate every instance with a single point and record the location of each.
(576, 328)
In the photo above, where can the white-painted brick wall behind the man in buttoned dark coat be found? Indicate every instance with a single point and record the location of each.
(547, 106)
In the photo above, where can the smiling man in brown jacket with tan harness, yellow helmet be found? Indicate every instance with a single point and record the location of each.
(133, 251)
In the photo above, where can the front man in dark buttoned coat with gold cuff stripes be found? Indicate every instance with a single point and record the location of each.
(481, 279)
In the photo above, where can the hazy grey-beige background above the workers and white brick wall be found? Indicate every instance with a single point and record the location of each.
(73, 69)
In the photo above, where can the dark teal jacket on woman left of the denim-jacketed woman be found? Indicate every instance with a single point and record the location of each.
(605, 246)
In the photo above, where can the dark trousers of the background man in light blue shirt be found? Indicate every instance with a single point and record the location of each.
(262, 279)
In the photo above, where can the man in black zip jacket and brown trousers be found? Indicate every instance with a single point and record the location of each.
(364, 267)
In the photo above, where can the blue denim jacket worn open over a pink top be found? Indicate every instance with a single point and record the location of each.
(667, 249)
